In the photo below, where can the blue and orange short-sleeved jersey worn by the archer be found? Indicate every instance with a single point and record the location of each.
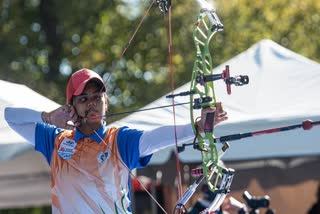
(88, 174)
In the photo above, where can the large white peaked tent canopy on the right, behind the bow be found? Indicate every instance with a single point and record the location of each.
(283, 90)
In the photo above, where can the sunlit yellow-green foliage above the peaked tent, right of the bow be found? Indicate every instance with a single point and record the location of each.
(292, 24)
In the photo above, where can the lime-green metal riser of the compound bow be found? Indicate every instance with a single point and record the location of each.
(204, 94)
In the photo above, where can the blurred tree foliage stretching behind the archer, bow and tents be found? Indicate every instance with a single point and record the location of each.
(43, 41)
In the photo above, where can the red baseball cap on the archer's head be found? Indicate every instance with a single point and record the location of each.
(78, 81)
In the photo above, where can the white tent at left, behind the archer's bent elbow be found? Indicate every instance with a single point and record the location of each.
(24, 173)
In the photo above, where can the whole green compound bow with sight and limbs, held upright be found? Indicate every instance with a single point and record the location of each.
(202, 95)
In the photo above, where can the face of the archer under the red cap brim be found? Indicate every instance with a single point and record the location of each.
(91, 103)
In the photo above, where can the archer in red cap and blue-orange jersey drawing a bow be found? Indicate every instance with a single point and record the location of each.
(90, 163)
